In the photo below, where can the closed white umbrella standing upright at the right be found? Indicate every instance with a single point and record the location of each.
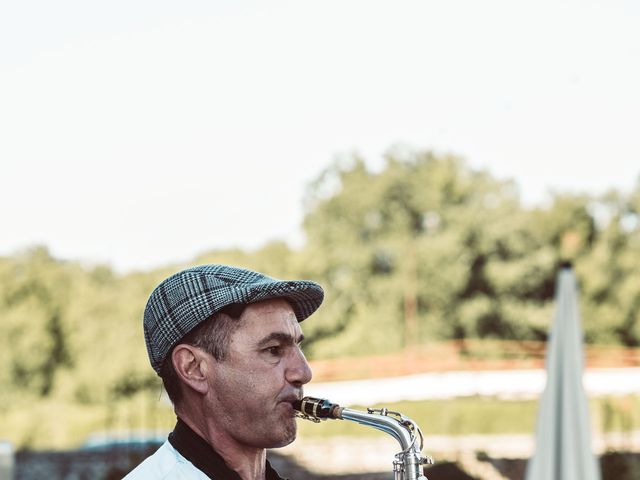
(563, 433)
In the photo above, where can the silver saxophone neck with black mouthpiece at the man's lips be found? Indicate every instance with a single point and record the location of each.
(408, 462)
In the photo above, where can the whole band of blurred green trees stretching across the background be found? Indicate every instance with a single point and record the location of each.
(424, 249)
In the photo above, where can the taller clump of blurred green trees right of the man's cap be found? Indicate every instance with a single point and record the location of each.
(428, 248)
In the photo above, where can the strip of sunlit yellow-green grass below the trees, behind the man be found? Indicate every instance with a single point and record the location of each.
(51, 425)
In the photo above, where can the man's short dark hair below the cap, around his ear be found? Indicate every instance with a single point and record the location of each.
(213, 336)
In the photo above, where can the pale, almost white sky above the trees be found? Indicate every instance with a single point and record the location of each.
(139, 133)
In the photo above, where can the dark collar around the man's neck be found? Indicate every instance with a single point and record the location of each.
(195, 449)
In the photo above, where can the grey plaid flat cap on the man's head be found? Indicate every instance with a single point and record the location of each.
(187, 298)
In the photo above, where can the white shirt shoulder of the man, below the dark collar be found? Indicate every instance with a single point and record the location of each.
(166, 464)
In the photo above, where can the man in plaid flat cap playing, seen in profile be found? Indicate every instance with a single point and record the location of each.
(226, 343)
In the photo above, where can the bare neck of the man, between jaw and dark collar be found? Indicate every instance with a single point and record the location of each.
(248, 462)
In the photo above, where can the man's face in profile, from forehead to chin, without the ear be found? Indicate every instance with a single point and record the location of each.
(263, 372)
